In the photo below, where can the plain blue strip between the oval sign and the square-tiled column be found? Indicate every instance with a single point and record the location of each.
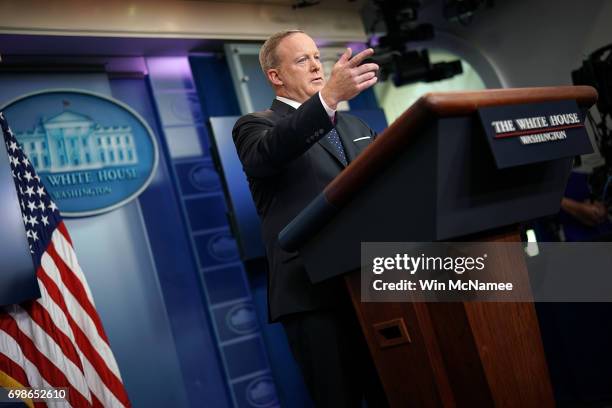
(176, 269)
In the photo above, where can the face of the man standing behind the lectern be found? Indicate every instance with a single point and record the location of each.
(300, 73)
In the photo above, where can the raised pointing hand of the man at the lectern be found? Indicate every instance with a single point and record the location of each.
(348, 78)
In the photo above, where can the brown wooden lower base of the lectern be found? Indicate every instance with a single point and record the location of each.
(464, 354)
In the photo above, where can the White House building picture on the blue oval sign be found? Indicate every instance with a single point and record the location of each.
(71, 141)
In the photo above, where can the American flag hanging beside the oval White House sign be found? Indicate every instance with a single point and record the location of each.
(56, 341)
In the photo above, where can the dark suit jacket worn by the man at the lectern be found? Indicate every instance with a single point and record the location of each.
(288, 162)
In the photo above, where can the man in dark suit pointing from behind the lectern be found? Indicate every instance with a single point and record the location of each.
(289, 154)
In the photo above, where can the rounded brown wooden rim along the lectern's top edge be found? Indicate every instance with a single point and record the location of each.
(438, 105)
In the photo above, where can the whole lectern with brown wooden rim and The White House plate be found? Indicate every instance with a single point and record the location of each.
(435, 175)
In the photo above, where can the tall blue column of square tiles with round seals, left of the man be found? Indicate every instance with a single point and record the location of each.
(223, 279)
